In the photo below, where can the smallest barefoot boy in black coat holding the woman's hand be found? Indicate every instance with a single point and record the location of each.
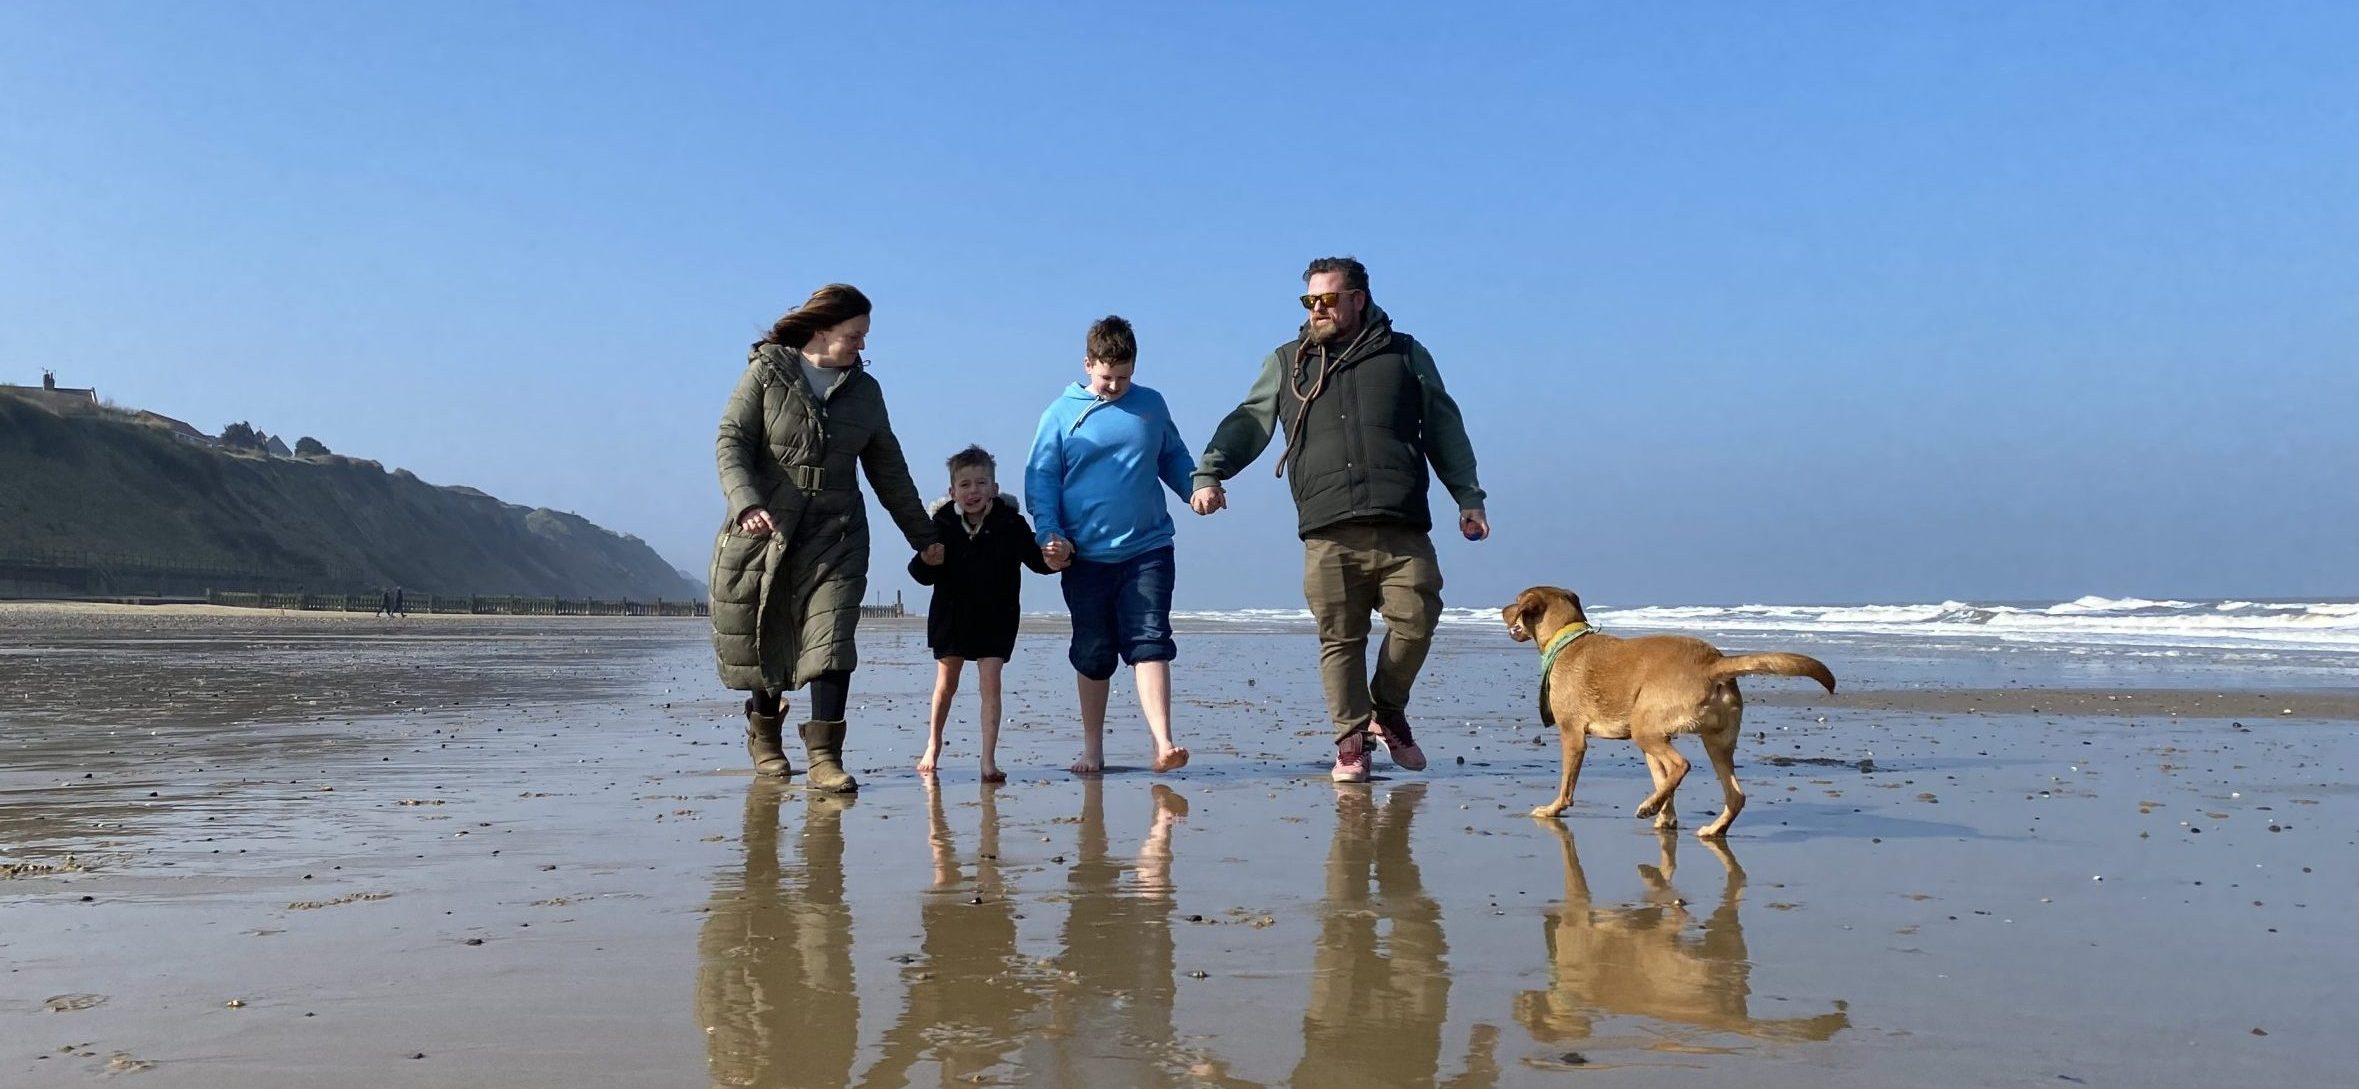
(975, 595)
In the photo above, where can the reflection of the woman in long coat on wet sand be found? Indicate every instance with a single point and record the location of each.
(775, 982)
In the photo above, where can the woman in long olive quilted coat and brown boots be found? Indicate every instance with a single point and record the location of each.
(791, 565)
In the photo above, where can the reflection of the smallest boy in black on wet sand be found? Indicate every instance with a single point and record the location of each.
(971, 998)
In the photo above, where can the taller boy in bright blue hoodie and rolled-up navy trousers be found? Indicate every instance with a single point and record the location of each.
(1093, 491)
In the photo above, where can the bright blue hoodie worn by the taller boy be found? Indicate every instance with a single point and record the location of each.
(1093, 473)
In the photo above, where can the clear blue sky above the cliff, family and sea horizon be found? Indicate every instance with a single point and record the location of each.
(1744, 303)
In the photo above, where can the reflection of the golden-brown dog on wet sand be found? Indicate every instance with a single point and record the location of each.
(1641, 961)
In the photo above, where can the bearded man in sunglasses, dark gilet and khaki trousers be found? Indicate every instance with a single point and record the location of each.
(1365, 411)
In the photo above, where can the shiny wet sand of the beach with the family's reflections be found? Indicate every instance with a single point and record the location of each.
(511, 852)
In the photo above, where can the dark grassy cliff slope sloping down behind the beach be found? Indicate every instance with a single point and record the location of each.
(105, 484)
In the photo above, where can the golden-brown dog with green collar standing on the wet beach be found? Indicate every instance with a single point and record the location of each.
(1648, 689)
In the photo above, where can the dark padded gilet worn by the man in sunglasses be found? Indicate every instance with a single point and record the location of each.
(1360, 449)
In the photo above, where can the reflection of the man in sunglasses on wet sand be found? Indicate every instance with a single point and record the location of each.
(1381, 986)
